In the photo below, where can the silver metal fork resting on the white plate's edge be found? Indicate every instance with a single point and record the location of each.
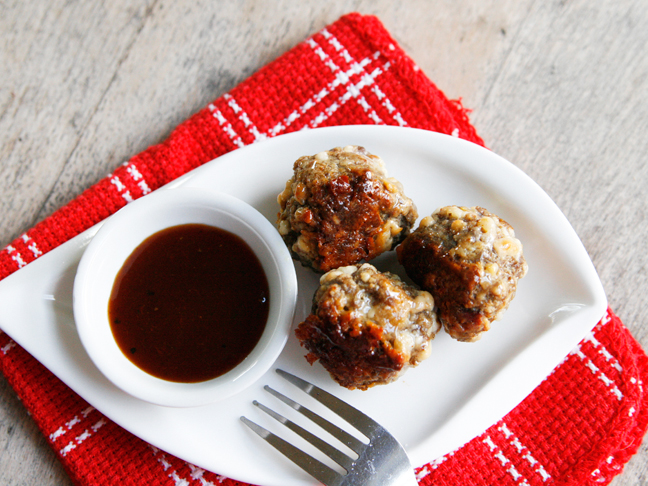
(380, 462)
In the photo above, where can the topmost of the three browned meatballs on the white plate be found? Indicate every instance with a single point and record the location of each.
(340, 208)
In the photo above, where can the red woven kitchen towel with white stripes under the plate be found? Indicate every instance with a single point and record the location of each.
(580, 426)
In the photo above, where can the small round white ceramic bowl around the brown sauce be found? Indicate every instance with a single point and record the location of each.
(116, 240)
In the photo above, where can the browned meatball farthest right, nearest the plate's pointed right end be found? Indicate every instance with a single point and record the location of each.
(470, 261)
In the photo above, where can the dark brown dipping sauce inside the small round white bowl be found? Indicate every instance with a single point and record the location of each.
(190, 303)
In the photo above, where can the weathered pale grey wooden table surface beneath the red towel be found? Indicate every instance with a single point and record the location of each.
(559, 88)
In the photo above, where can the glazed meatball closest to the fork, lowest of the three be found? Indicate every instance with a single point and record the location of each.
(367, 328)
